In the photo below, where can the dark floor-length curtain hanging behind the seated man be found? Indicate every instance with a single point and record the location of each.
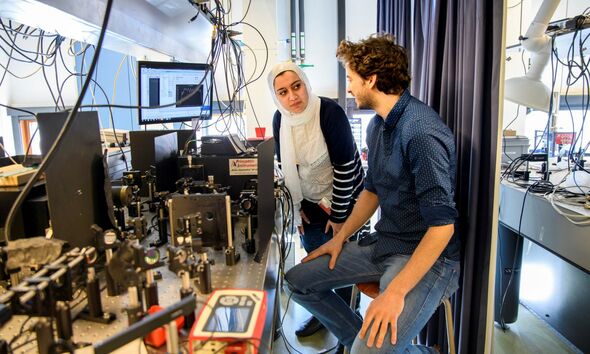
(455, 48)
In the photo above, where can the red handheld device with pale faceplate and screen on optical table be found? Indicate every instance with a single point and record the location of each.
(231, 322)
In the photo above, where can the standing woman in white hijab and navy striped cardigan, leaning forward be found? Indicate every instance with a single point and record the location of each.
(319, 159)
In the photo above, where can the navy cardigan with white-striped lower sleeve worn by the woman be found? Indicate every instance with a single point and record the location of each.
(344, 156)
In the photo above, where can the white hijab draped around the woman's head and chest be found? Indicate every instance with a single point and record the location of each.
(309, 116)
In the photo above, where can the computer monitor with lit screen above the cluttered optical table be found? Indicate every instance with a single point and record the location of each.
(166, 83)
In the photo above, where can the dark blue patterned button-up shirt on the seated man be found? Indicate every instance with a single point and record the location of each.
(412, 166)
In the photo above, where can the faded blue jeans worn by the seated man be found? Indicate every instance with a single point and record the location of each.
(311, 285)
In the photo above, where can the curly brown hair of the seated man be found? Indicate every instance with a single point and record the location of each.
(380, 55)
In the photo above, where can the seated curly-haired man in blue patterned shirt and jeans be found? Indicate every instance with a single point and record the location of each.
(411, 177)
